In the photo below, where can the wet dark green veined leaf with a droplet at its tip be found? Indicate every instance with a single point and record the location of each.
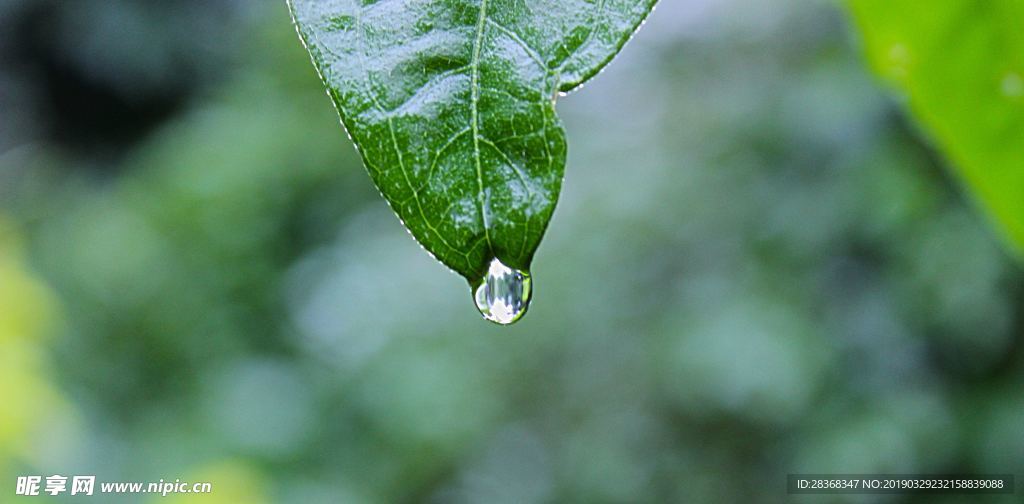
(452, 106)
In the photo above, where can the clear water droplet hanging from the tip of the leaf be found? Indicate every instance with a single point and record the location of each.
(503, 295)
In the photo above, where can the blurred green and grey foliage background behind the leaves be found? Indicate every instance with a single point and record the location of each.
(757, 267)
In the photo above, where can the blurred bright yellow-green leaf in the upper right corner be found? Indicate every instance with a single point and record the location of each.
(961, 65)
